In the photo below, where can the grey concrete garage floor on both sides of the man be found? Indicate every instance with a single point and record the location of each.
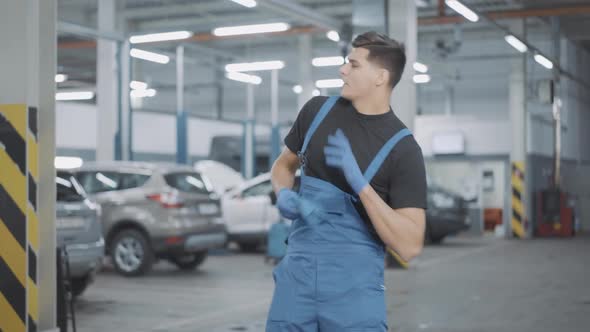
(466, 284)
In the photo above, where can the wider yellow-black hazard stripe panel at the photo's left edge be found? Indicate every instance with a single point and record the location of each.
(13, 217)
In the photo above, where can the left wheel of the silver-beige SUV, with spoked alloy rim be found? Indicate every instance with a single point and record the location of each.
(131, 253)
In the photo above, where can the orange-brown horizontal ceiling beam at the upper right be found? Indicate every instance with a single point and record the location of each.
(510, 14)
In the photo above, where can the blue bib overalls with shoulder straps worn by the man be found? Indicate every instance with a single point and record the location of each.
(331, 278)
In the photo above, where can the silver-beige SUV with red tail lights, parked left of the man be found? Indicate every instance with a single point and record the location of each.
(154, 210)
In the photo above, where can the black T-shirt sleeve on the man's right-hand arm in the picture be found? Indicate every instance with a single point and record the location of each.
(407, 187)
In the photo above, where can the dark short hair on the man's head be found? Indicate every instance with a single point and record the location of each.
(386, 52)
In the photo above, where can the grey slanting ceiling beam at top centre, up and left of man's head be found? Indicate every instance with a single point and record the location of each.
(302, 13)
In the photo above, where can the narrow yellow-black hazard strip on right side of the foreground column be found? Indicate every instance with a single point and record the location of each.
(32, 221)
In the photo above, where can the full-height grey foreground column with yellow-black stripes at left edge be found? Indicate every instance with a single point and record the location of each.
(28, 28)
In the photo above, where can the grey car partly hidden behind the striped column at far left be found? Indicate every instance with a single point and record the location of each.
(78, 231)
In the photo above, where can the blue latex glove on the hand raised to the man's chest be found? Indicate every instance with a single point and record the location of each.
(339, 154)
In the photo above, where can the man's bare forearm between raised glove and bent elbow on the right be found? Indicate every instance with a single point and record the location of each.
(399, 232)
